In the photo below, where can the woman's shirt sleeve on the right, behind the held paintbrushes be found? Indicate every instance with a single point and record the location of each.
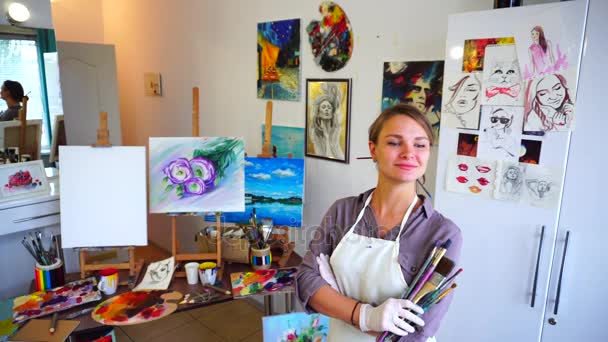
(433, 316)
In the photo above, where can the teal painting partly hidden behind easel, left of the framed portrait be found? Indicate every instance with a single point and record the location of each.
(286, 140)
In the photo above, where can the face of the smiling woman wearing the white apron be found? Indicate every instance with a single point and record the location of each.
(402, 151)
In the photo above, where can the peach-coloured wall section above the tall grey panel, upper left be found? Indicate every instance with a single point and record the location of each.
(77, 20)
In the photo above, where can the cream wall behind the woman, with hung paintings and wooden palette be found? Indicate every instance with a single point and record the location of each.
(211, 44)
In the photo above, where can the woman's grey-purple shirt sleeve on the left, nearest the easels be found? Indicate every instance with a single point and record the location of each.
(309, 280)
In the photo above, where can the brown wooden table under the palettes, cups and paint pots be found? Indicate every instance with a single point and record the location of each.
(87, 324)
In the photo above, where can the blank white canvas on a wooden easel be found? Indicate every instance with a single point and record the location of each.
(103, 196)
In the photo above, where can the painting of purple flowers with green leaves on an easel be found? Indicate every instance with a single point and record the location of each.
(196, 174)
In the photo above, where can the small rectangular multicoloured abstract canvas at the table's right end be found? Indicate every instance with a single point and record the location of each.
(263, 282)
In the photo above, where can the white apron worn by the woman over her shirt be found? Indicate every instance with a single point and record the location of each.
(366, 269)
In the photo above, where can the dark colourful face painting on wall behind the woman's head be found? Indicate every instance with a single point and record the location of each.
(416, 83)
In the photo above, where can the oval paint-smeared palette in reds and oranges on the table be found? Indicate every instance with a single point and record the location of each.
(136, 307)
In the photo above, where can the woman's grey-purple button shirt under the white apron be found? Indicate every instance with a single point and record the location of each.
(423, 229)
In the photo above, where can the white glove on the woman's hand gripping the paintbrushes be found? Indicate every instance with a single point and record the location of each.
(389, 316)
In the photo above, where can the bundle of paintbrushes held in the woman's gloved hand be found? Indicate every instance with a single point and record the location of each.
(430, 284)
